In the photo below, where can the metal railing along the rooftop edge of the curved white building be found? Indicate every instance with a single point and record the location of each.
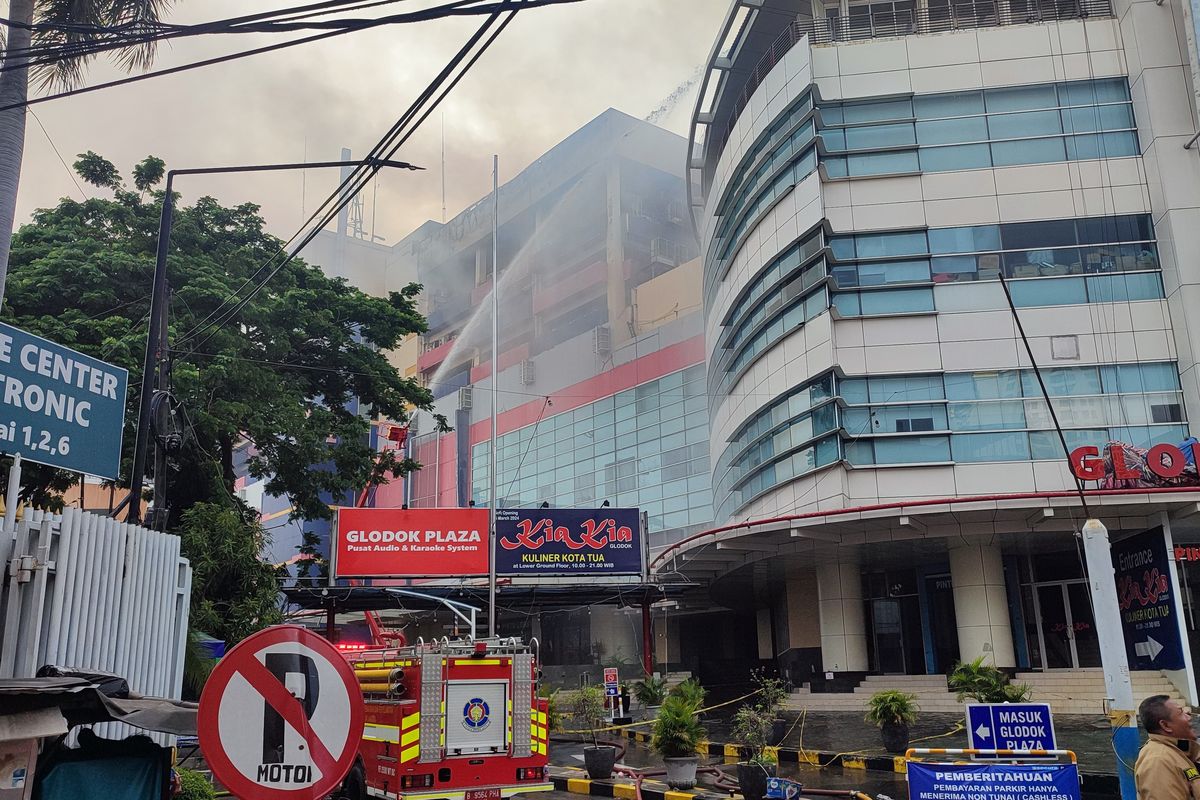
(938, 17)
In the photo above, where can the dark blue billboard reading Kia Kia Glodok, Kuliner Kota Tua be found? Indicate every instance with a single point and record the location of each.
(578, 543)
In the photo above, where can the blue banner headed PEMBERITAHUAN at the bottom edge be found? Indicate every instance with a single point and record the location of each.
(1016, 781)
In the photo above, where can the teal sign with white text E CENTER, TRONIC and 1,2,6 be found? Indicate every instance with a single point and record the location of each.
(58, 407)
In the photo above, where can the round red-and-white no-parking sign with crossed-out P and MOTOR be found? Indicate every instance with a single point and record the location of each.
(281, 717)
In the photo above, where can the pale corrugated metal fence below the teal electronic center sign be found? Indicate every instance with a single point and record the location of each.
(92, 593)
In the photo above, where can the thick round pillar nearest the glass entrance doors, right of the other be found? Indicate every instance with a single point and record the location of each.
(981, 604)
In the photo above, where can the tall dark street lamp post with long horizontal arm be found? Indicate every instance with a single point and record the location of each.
(155, 366)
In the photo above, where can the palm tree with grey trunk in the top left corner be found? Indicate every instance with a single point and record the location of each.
(67, 73)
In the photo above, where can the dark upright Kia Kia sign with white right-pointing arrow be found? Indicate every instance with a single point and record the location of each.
(1149, 613)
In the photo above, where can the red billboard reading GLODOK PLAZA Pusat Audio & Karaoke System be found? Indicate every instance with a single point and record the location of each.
(411, 543)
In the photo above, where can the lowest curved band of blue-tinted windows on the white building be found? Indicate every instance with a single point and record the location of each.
(953, 418)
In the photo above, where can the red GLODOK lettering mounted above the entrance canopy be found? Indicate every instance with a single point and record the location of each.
(1125, 467)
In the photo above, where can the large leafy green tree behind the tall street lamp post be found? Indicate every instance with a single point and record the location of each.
(280, 384)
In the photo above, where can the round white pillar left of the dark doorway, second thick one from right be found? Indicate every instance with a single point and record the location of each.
(843, 631)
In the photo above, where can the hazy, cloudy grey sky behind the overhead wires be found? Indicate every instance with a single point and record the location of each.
(551, 71)
